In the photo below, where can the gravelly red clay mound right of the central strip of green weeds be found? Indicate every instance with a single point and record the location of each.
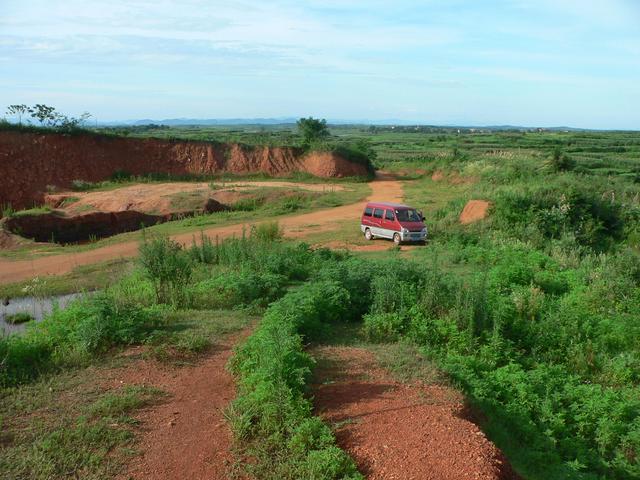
(401, 431)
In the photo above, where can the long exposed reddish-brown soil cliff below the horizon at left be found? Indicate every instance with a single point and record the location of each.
(29, 162)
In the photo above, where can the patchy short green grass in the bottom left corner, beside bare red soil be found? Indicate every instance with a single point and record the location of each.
(66, 425)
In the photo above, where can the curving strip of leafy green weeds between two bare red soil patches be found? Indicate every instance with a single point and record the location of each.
(271, 418)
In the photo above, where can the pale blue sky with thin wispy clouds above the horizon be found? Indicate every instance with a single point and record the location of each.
(462, 62)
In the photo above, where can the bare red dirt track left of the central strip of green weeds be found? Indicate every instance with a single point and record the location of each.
(186, 436)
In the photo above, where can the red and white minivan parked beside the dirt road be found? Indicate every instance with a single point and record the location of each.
(399, 223)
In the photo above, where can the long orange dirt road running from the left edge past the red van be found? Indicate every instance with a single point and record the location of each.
(296, 226)
